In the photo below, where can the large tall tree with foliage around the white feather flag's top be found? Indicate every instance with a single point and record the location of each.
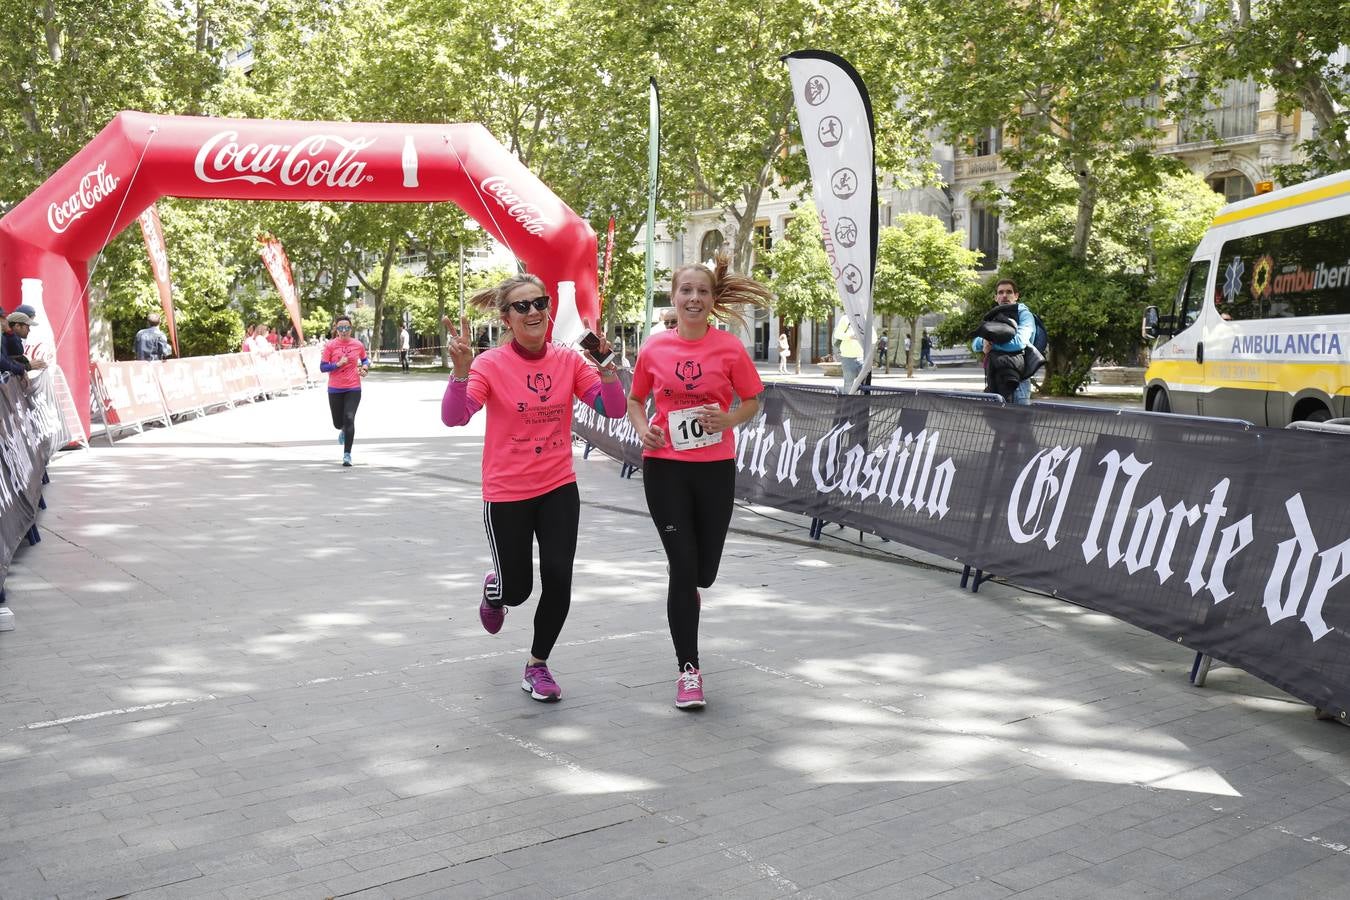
(728, 118)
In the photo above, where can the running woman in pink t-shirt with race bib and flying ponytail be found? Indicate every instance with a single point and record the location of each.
(689, 449)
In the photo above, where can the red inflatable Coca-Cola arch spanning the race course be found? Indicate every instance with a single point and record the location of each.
(48, 241)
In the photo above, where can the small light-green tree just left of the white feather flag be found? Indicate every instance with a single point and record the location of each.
(800, 275)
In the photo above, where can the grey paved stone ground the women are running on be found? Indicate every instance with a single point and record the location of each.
(242, 671)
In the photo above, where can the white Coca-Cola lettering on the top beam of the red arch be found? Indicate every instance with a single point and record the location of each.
(315, 161)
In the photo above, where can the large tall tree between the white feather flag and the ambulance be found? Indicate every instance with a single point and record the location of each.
(1060, 83)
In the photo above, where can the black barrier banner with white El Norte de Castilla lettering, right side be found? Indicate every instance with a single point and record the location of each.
(1229, 540)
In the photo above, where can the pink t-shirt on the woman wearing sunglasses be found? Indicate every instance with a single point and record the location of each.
(529, 442)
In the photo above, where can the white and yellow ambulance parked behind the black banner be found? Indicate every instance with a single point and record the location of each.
(1260, 327)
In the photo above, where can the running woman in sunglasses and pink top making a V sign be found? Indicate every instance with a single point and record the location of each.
(530, 488)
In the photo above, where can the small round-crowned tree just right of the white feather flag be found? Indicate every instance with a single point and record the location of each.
(921, 269)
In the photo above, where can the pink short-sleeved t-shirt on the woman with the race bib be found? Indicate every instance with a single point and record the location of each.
(692, 373)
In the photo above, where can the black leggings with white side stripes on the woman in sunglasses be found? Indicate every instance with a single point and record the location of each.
(512, 528)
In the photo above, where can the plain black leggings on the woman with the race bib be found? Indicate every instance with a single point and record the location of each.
(692, 508)
